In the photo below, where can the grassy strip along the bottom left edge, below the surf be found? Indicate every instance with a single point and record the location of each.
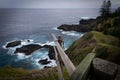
(9, 73)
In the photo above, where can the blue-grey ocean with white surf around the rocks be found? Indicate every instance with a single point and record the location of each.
(37, 25)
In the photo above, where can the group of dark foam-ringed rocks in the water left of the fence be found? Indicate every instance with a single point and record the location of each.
(30, 48)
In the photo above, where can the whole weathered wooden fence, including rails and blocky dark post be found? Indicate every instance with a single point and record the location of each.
(82, 72)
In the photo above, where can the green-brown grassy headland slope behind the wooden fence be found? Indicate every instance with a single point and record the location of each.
(106, 47)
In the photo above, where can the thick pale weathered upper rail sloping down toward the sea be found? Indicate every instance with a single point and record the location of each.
(67, 62)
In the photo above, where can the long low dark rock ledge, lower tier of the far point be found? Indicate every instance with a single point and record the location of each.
(78, 28)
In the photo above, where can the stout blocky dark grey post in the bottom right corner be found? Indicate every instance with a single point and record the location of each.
(103, 70)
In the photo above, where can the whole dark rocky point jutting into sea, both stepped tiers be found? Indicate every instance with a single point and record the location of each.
(83, 26)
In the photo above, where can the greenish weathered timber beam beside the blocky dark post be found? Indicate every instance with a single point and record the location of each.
(81, 72)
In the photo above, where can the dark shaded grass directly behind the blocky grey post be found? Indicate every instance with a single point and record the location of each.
(109, 52)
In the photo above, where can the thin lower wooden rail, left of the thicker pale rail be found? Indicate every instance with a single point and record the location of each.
(60, 76)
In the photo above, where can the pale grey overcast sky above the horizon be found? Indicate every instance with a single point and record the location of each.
(54, 3)
